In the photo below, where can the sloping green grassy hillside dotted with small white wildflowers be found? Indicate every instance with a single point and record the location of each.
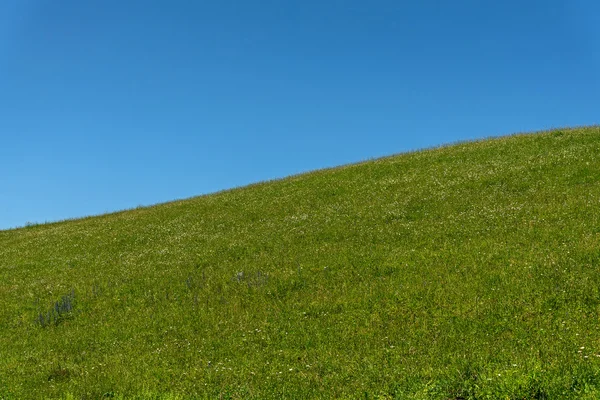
(464, 272)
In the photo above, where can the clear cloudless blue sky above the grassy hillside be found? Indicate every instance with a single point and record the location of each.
(107, 104)
